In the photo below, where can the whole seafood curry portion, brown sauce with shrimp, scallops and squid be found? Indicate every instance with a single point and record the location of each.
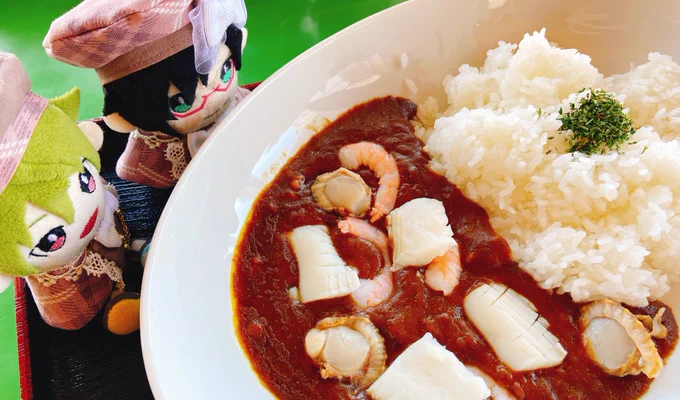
(363, 274)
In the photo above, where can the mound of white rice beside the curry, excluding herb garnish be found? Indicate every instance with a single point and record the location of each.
(600, 226)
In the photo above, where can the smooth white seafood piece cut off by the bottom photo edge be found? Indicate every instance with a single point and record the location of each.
(427, 370)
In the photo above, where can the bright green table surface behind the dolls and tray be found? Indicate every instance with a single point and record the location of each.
(277, 32)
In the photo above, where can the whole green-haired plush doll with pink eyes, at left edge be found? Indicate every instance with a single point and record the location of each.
(60, 226)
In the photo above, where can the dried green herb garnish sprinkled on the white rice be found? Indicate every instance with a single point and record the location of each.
(598, 125)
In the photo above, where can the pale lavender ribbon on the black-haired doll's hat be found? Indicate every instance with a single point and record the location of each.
(210, 20)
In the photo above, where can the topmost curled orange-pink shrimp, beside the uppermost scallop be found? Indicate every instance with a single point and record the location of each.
(383, 166)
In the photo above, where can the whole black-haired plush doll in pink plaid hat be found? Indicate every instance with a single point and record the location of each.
(168, 69)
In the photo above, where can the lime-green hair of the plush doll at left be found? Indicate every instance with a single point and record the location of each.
(56, 152)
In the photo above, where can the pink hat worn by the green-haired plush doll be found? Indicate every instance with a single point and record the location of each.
(20, 112)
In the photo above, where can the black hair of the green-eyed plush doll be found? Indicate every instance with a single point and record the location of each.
(141, 98)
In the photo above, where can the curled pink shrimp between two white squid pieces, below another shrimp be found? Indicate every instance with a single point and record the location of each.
(372, 291)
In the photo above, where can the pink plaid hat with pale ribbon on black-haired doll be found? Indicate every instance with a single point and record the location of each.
(120, 37)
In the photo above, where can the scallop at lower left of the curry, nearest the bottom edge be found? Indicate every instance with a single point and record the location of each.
(347, 347)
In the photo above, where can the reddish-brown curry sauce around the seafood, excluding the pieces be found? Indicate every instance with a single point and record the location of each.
(272, 326)
